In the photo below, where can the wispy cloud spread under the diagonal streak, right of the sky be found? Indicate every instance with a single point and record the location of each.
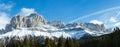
(109, 17)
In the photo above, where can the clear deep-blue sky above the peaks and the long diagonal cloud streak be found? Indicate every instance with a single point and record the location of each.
(64, 10)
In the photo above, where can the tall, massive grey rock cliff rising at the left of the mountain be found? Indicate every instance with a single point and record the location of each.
(33, 20)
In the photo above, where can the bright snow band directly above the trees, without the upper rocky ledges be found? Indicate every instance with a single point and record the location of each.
(52, 33)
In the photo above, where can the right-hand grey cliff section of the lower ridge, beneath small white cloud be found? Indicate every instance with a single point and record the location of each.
(90, 26)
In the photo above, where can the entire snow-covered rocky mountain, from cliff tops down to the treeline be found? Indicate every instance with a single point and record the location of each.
(37, 25)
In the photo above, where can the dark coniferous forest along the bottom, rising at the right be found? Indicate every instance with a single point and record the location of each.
(108, 40)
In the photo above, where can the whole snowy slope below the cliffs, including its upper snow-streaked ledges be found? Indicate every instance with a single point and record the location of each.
(51, 31)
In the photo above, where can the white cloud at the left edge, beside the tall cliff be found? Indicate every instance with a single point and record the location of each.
(4, 19)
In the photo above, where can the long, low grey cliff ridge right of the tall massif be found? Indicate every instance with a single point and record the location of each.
(78, 26)
